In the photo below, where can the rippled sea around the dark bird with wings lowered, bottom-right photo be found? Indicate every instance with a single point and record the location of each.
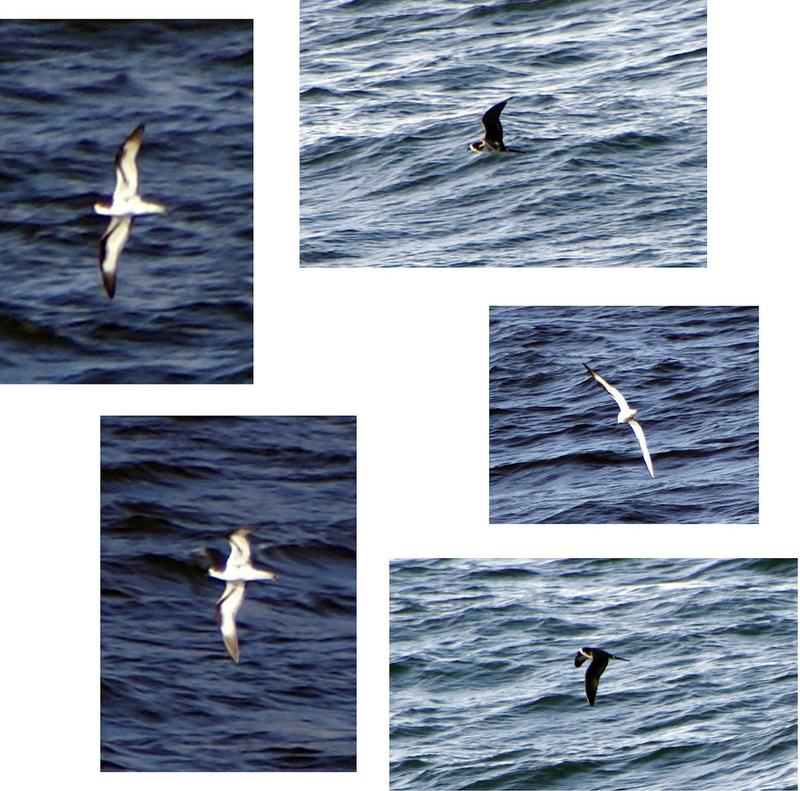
(485, 695)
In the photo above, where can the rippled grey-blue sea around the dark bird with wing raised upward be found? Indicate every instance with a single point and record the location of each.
(606, 99)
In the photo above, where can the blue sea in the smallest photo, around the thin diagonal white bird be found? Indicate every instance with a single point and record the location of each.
(557, 453)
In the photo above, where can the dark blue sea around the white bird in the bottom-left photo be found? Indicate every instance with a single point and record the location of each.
(171, 697)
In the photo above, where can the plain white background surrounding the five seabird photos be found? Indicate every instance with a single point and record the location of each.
(407, 352)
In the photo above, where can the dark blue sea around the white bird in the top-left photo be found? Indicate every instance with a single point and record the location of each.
(72, 92)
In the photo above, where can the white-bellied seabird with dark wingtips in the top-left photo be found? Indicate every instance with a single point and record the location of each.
(125, 204)
